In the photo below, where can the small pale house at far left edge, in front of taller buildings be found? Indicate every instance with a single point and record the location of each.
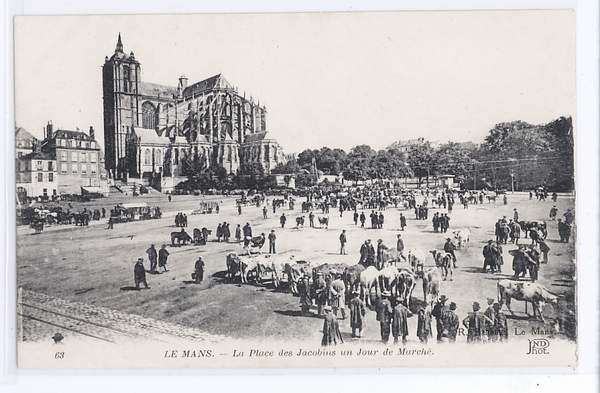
(36, 175)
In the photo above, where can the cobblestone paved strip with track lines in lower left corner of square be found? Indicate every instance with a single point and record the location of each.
(41, 316)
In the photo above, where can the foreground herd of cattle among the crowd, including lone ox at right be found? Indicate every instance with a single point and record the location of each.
(397, 276)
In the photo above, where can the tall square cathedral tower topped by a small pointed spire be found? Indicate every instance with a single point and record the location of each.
(121, 76)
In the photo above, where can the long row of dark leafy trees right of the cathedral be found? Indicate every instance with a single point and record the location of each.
(515, 153)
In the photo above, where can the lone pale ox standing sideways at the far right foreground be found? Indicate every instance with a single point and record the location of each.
(532, 292)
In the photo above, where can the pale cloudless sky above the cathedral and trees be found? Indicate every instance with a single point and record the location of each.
(327, 79)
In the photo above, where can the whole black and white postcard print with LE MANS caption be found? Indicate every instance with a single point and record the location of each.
(330, 189)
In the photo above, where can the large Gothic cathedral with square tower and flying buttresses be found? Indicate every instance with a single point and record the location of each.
(151, 129)
